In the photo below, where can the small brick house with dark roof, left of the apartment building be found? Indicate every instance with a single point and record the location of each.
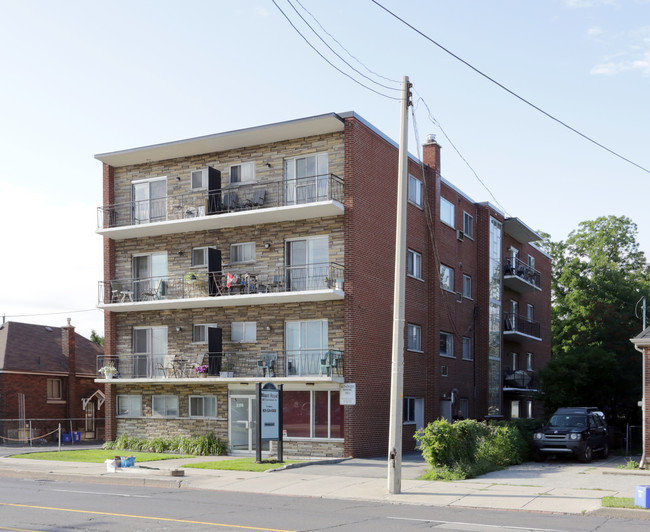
(47, 377)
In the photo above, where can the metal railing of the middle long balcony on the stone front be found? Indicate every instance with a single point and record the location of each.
(231, 282)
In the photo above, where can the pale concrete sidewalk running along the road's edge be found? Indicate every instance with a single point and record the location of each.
(555, 486)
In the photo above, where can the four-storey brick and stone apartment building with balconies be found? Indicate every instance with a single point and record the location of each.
(277, 243)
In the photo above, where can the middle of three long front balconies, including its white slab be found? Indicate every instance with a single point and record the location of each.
(234, 287)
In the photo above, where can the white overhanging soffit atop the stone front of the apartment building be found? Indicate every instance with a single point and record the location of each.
(292, 129)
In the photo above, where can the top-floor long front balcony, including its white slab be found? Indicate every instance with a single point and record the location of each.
(233, 206)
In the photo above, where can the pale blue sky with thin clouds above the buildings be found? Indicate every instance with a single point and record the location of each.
(81, 78)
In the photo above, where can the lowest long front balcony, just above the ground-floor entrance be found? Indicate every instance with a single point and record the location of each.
(292, 365)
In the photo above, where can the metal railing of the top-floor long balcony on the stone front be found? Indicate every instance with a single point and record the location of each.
(228, 199)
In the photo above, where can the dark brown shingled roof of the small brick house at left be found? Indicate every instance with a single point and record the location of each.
(25, 347)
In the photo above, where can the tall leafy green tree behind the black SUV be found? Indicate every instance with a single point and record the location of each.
(598, 277)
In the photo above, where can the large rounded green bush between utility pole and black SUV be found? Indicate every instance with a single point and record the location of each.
(469, 448)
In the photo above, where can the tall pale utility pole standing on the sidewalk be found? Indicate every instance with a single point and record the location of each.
(397, 364)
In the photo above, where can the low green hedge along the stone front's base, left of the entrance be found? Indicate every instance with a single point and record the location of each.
(206, 445)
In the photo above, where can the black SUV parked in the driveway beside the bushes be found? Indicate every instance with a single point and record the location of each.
(580, 431)
